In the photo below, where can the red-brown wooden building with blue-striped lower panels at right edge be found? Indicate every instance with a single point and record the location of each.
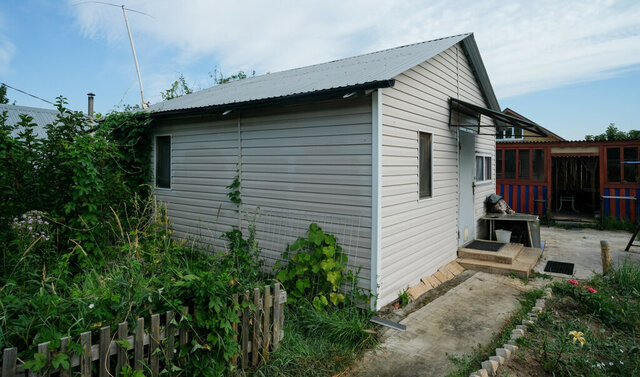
(569, 180)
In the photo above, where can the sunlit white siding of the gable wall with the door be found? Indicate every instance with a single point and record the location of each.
(419, 236)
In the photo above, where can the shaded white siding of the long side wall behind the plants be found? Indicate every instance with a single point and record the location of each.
(298, 164)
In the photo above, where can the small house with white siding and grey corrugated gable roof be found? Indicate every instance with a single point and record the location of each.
(380, 149)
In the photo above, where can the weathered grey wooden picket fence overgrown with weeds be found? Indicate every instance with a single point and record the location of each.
(259, 333)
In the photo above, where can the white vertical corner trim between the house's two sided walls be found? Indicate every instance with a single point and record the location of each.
(376, 192)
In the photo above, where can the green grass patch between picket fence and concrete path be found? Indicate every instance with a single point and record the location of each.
(319, 343)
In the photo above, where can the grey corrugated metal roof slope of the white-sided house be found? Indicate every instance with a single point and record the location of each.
(363, 69)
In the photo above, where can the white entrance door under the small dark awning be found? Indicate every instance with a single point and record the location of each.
(466, 213)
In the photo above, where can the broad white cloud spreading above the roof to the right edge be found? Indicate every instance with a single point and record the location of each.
(526, 47)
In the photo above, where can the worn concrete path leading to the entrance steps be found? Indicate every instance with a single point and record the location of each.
(454, 323)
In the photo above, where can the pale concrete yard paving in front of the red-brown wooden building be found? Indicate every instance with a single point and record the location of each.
(582, 247)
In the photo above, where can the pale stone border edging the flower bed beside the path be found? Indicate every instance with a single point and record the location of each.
(490, 367)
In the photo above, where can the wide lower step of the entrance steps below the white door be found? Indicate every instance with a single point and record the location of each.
(521, 266)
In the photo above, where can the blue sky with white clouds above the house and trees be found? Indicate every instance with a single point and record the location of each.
(571, 66)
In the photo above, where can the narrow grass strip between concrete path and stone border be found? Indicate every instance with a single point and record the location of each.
(468, 363)
